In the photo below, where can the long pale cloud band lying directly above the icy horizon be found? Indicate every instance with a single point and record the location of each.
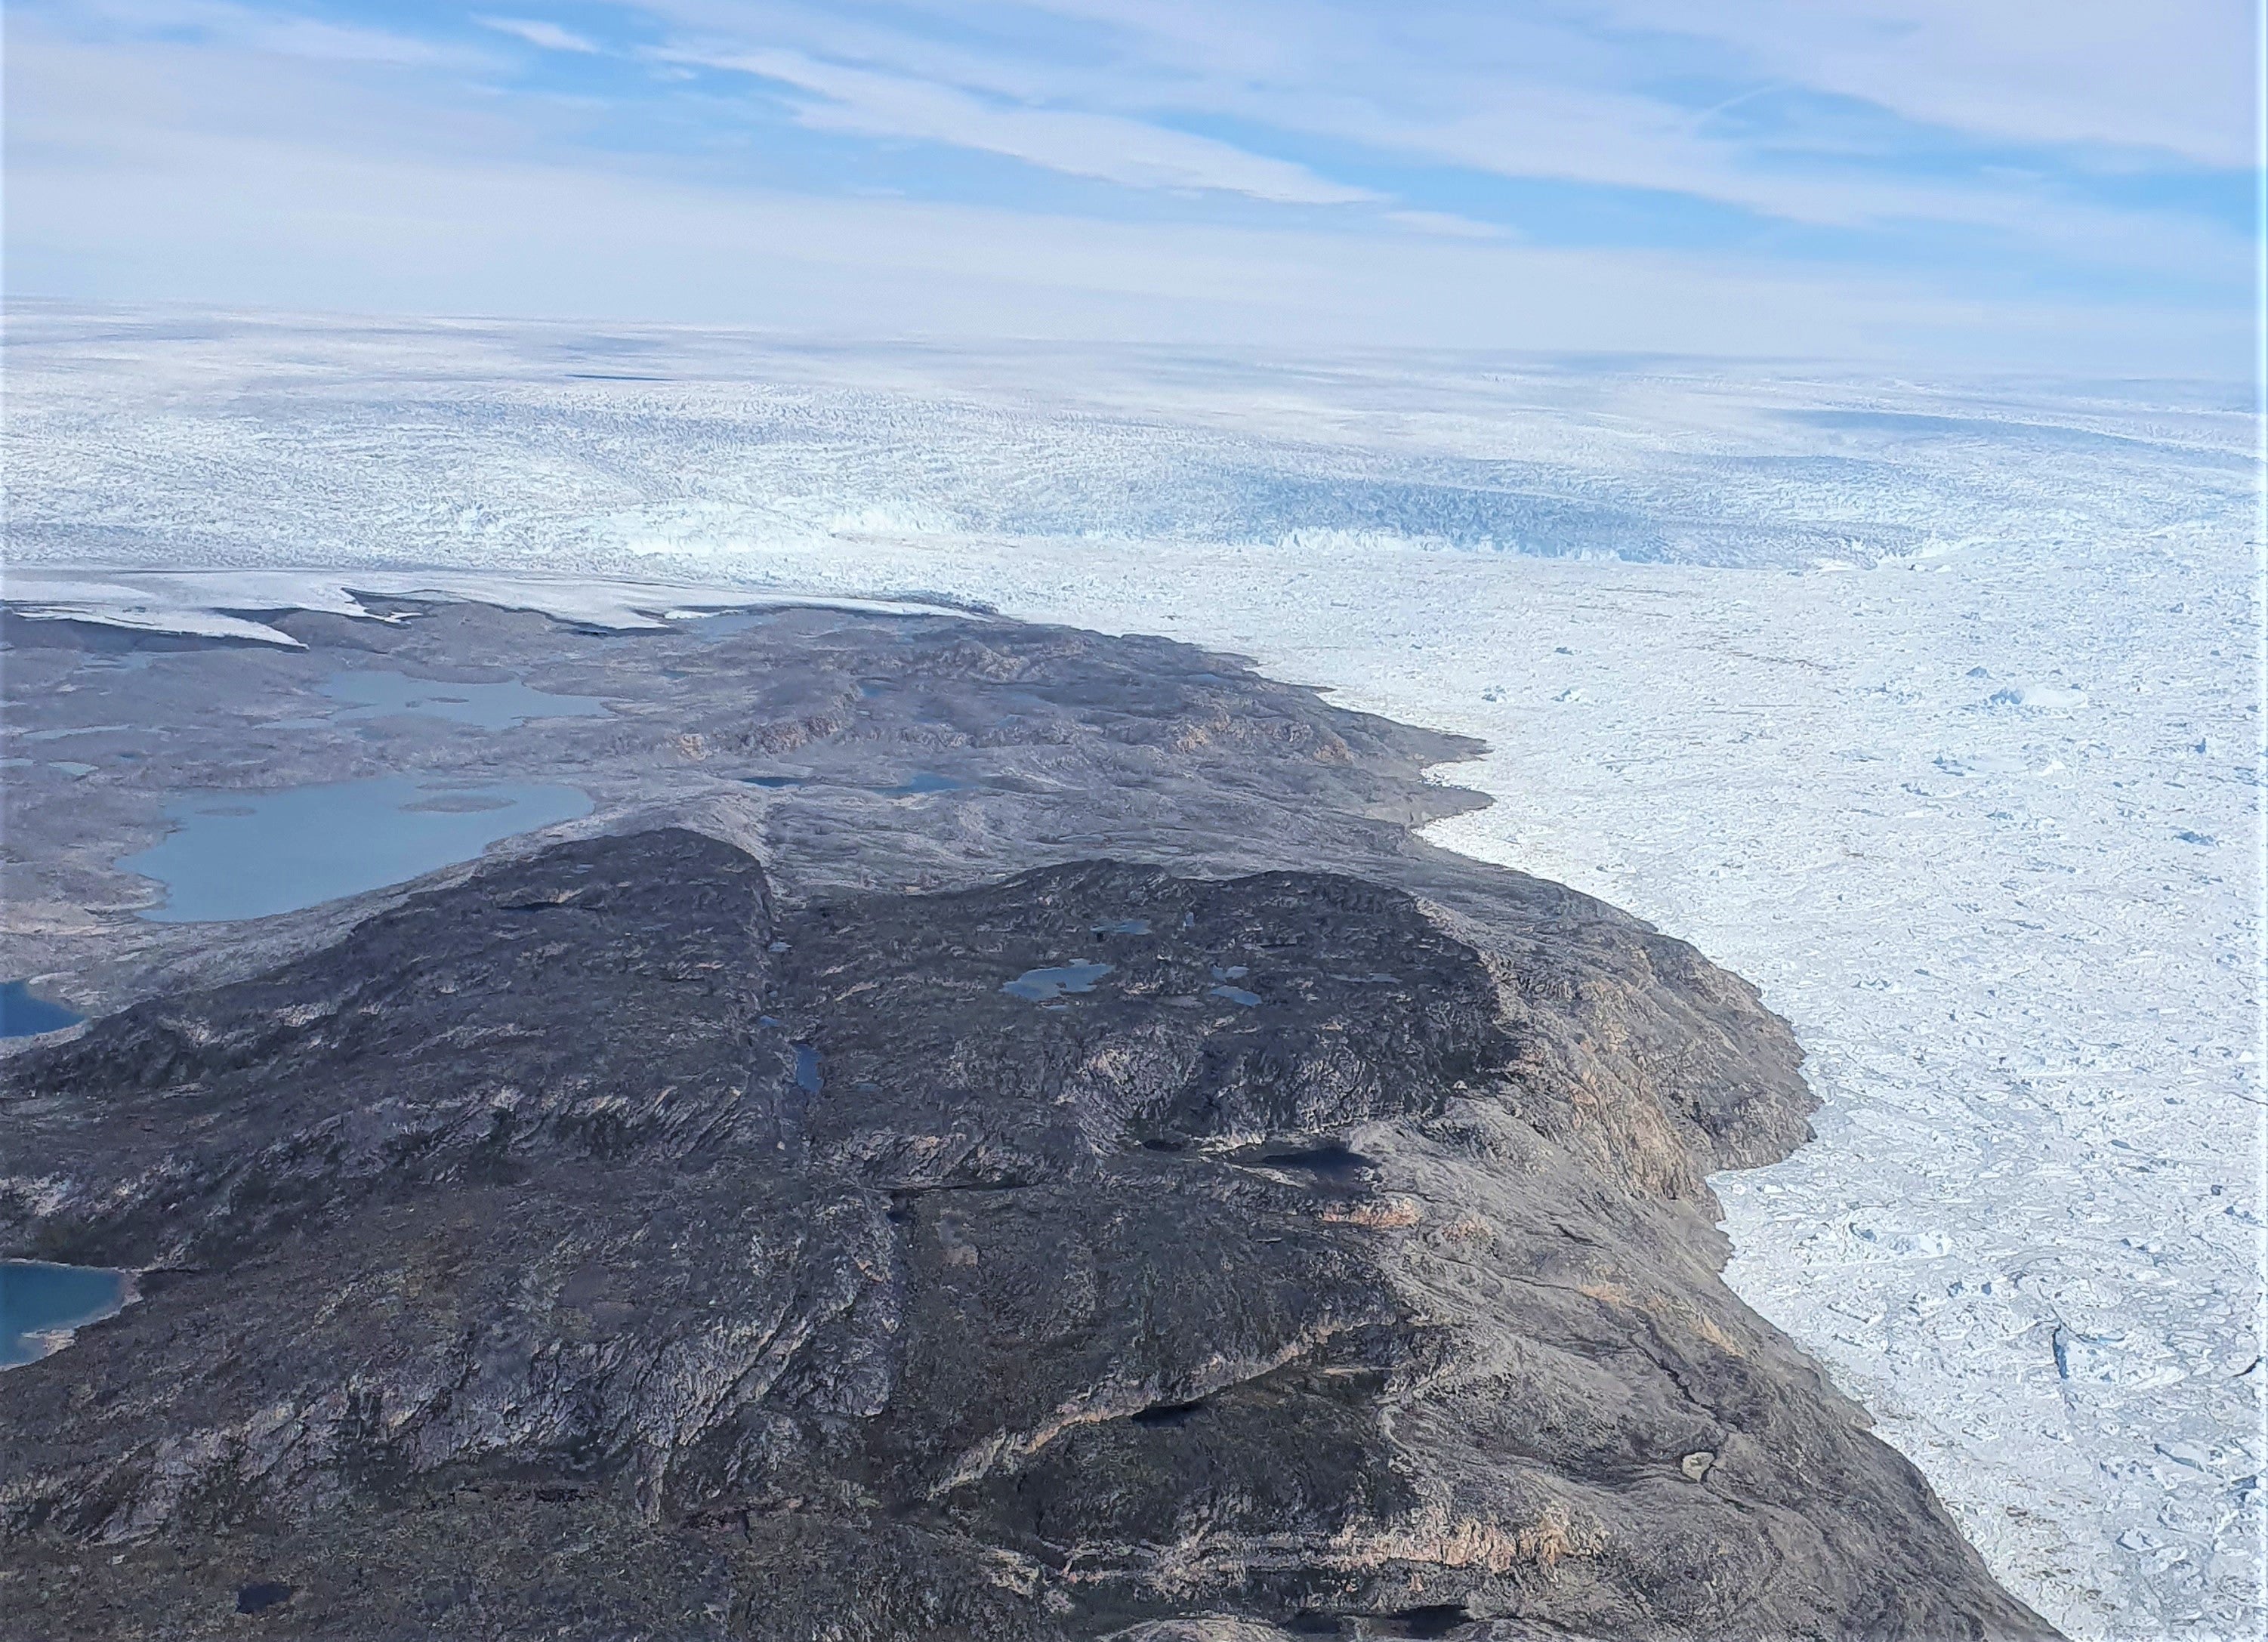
(205, 176)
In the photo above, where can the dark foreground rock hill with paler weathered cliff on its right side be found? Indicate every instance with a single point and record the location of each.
(600, 1251)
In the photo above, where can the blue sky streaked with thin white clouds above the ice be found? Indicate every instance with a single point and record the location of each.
(1990, 183)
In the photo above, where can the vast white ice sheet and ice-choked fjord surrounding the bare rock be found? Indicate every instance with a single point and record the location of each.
(1929, 711)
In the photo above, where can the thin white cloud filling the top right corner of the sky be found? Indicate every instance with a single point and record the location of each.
(2176, 76)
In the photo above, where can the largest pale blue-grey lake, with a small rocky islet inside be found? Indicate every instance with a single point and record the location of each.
(257, 854)
